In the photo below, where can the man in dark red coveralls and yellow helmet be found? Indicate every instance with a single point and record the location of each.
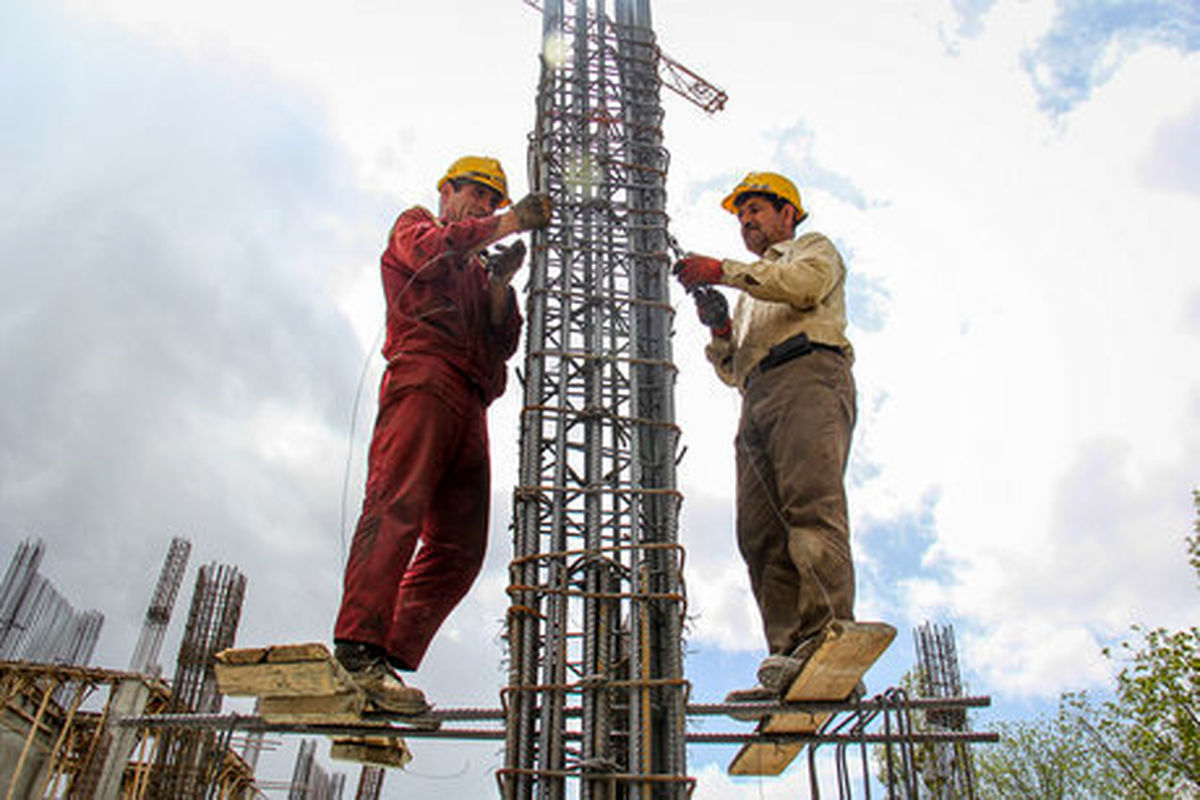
(453, 322)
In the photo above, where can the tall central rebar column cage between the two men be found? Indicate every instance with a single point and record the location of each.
(597, 597)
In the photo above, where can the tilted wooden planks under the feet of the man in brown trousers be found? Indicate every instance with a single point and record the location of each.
(847, 652)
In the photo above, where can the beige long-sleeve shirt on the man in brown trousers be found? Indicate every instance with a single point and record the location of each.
(797, 287)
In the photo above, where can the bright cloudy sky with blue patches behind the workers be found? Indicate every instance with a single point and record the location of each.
(195, 197)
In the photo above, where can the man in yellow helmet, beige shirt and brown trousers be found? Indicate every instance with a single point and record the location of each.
(785, 350)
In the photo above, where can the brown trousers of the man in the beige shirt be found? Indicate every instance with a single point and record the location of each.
(793, 446)
